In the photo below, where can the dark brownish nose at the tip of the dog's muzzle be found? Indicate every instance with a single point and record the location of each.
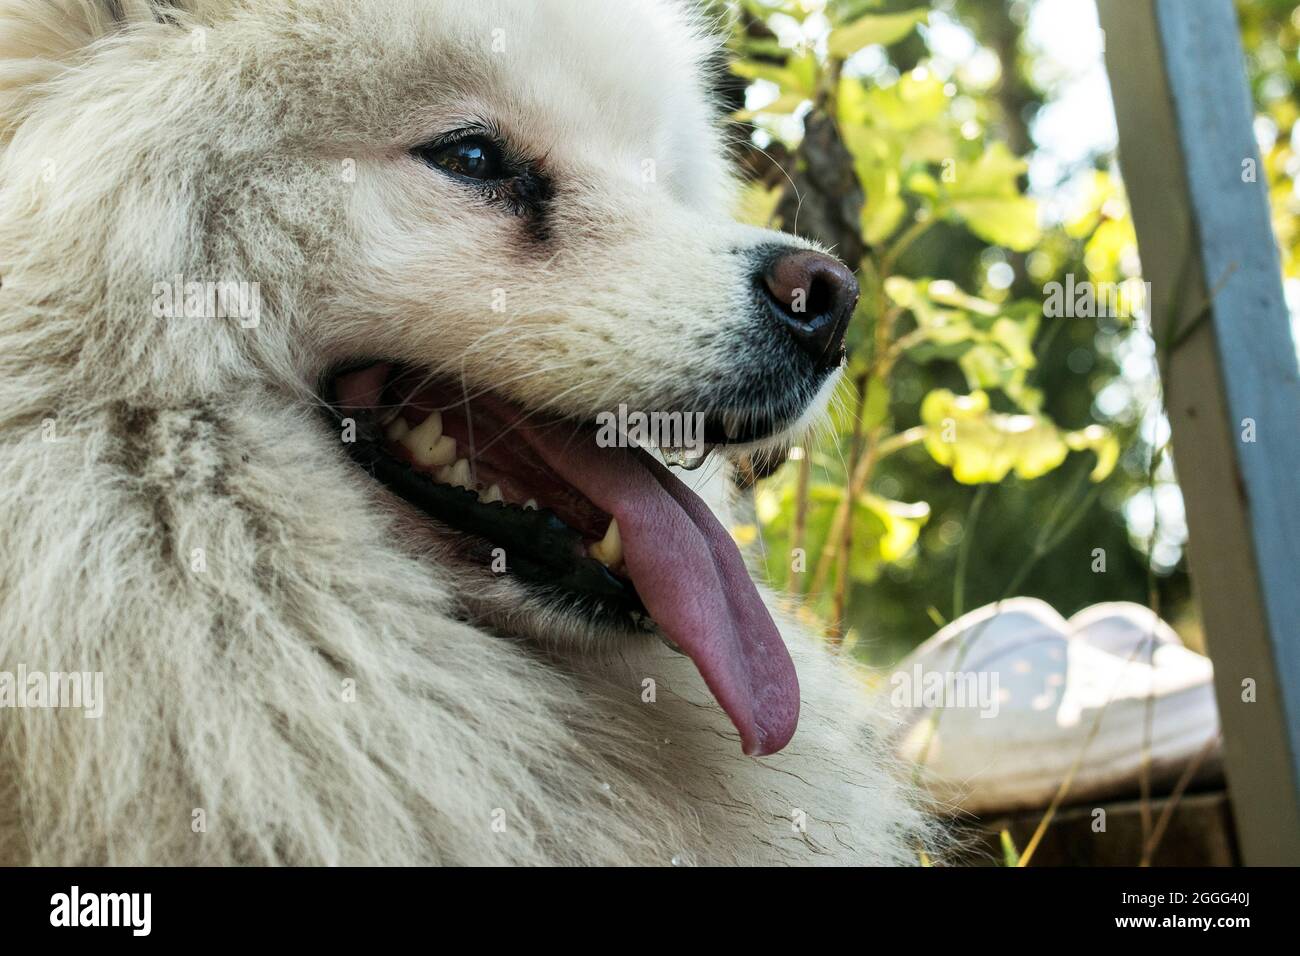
(813, 296)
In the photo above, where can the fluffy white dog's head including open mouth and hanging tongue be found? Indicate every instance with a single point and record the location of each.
(495, 239)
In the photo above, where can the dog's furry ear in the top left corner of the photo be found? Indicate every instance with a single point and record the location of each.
(41, 38)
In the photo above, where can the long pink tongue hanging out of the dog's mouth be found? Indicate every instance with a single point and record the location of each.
(692, 581)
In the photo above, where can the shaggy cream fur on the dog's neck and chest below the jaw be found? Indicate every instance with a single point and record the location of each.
(229, 576)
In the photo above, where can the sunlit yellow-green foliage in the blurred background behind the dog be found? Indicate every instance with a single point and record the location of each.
(864, 139)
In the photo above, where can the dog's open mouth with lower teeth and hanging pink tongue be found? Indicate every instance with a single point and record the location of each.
(543, 500)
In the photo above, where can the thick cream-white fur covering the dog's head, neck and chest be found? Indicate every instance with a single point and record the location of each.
(215, 144)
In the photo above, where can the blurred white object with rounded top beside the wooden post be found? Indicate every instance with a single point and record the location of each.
(1021, 702)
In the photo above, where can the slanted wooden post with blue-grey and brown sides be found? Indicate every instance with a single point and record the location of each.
(1201, 205)
